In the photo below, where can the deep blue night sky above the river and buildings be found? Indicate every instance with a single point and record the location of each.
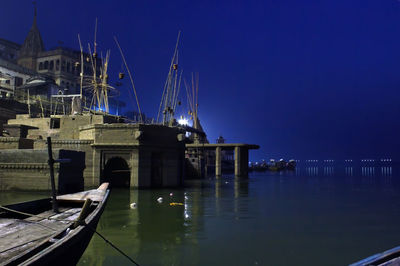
(305, 79)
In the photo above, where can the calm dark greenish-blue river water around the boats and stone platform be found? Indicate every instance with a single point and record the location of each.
(316, 215)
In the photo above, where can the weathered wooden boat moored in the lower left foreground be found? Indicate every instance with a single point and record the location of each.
(46, 237)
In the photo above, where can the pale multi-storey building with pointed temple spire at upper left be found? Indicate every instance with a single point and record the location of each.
(18, 63)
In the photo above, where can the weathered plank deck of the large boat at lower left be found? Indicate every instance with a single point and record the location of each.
(21, 233)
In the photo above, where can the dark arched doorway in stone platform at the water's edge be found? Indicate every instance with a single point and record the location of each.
(117, 172)
